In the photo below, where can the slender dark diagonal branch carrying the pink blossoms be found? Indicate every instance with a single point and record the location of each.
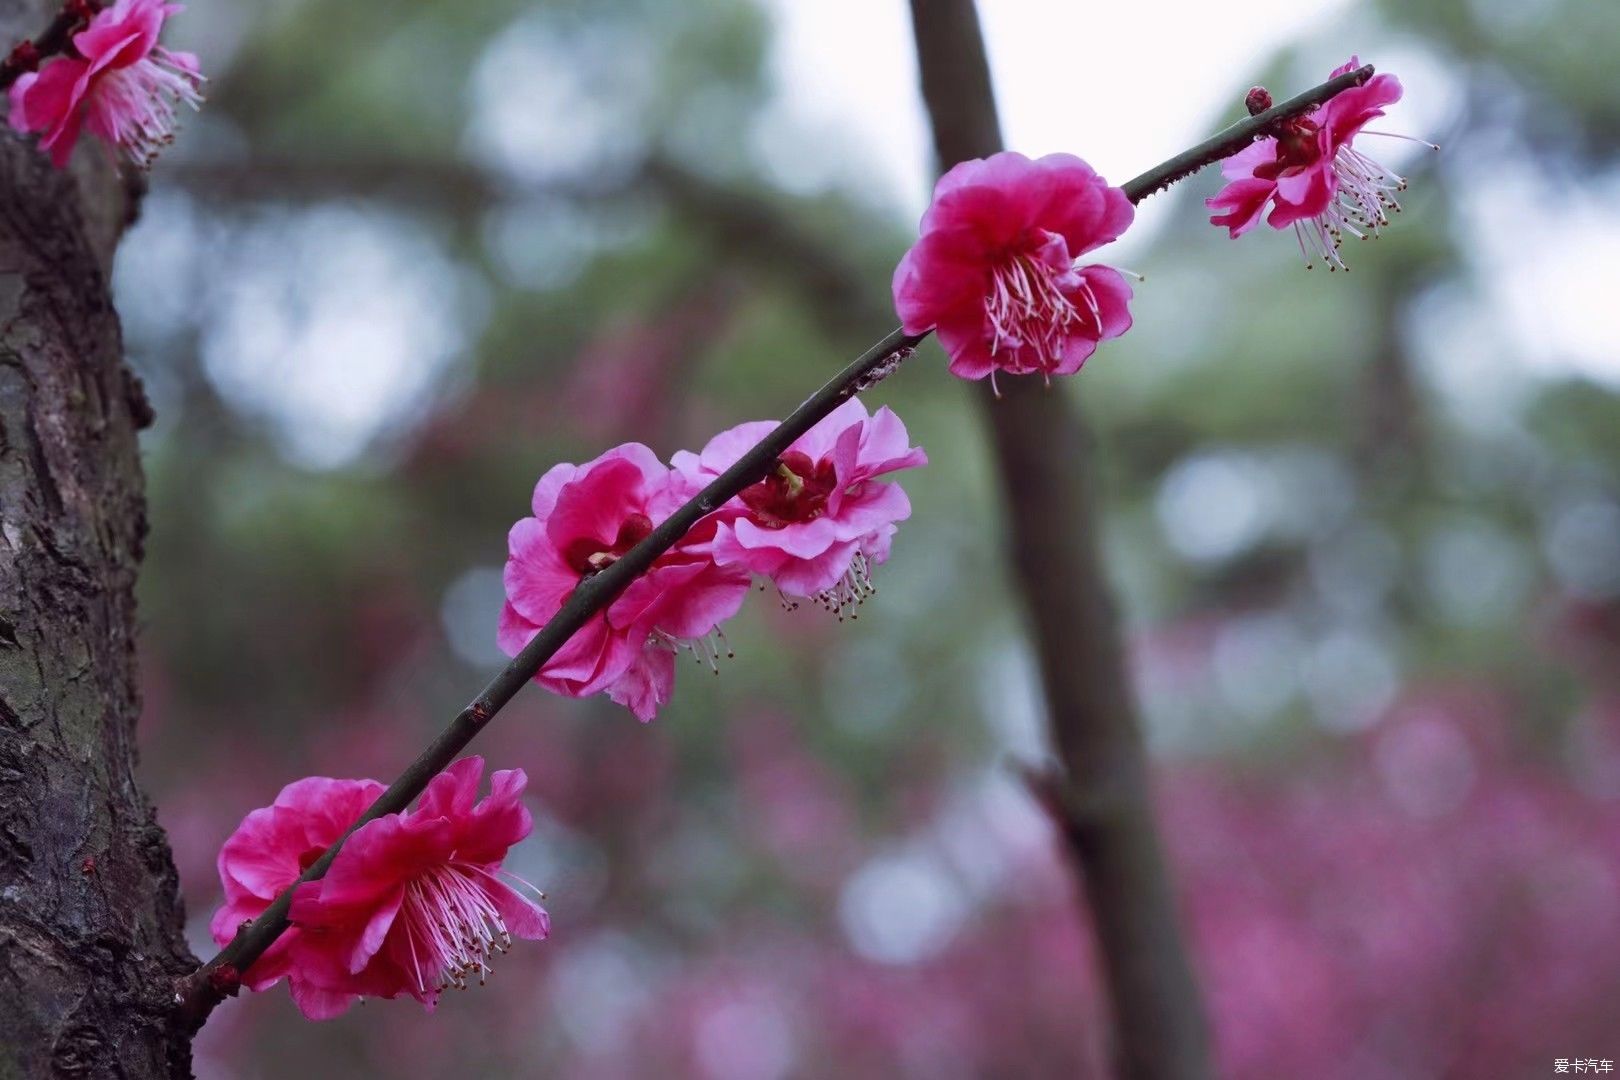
(198, 993)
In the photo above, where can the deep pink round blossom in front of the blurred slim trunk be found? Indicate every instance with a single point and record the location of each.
(994, 270)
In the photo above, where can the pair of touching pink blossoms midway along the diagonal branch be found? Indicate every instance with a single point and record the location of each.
(816, 527)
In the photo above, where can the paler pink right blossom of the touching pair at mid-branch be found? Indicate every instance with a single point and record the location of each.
(821, 521)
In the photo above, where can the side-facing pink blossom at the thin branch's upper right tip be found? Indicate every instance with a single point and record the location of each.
(1313, 177)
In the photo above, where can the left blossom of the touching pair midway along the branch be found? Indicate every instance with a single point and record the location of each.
(586, 519)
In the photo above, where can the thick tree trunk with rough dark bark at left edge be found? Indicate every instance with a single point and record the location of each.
(90, 911)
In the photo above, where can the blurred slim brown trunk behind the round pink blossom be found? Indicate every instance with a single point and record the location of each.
(1102, 796)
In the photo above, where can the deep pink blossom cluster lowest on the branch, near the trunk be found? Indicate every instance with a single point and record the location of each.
(414, 904)
